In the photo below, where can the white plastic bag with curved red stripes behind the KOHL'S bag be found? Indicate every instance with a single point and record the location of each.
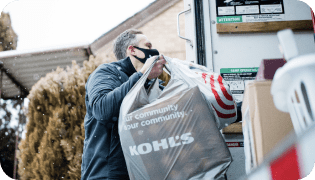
(215, 90)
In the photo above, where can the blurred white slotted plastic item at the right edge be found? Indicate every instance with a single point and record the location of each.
(293, 86)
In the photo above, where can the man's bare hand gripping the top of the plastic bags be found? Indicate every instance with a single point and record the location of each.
(157, 68)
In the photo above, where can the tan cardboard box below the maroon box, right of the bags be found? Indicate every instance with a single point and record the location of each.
(269, 125)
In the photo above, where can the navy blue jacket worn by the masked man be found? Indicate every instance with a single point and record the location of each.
(105, 89)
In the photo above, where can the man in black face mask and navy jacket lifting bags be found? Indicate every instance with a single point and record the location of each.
(105, 89)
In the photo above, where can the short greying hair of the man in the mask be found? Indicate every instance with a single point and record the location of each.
(124, 40)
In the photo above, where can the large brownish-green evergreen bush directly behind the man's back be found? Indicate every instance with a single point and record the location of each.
(53, 145)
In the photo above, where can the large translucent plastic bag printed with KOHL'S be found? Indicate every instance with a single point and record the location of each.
(171, 135)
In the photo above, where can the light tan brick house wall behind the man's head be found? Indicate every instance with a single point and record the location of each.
(162, 32)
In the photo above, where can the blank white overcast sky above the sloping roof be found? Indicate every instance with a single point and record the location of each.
(53, 23)
